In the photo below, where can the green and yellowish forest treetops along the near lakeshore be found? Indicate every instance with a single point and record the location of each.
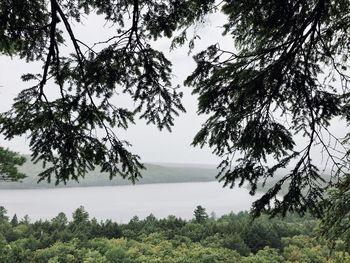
(205, 239)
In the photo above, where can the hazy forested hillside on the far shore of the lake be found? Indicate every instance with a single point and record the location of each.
(155, 173)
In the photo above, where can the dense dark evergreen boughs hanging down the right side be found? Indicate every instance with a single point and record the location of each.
(281, 79)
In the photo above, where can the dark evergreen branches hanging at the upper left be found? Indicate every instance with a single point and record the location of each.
(61, 128)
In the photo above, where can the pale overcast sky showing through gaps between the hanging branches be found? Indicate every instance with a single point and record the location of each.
(147, 141)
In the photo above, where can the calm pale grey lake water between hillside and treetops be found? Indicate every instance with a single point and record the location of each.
(121, 203)
